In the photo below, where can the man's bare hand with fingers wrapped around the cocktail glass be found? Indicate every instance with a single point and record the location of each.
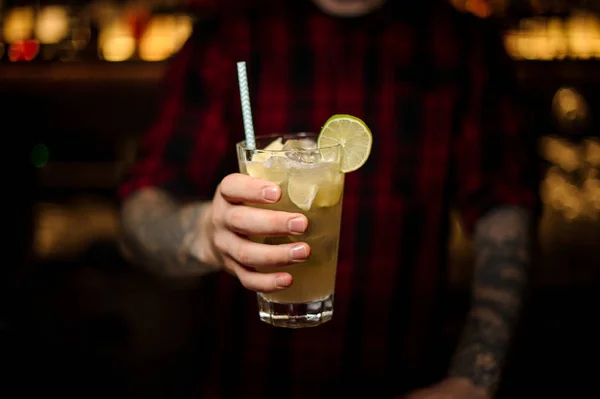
(223, 238)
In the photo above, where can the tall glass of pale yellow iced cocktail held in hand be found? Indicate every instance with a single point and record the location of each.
(312, 183)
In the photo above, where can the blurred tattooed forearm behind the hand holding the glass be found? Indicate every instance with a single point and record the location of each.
(160, 234)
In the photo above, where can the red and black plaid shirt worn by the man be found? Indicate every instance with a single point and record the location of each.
(436, 90)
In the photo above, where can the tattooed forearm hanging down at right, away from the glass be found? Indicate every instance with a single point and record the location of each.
(502, 260)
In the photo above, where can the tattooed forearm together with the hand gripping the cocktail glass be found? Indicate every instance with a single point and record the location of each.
(198, 238)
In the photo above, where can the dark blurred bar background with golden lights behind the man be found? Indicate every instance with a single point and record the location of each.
(78, 86)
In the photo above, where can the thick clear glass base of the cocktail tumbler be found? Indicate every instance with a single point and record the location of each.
(295, 315)
